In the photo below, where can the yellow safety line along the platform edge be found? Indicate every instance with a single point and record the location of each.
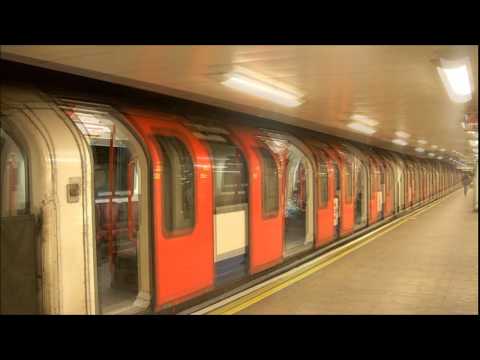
(325, 260)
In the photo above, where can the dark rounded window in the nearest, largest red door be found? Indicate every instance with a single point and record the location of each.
(178, 185)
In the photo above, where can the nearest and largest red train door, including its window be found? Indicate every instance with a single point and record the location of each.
(183, 208)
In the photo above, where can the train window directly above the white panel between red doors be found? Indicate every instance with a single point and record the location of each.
(231, 175)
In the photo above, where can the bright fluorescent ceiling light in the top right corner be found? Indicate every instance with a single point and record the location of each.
(456, 79)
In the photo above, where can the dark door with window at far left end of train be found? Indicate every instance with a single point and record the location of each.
(19, 255)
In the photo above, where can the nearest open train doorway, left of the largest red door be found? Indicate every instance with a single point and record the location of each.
(121, 223)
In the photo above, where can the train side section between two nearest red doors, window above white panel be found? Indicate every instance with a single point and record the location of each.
(231, 211)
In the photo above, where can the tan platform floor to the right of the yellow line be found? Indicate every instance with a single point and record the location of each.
(427, 265)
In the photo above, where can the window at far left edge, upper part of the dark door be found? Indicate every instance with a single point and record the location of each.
(13, 177)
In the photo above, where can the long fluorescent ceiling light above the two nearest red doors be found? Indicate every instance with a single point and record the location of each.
(263, 90)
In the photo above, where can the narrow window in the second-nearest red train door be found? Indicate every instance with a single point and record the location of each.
(269, 183)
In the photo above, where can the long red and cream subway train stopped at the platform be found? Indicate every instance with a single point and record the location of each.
(109, 207)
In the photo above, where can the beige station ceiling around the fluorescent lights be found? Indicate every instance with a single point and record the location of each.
(397, 86)
